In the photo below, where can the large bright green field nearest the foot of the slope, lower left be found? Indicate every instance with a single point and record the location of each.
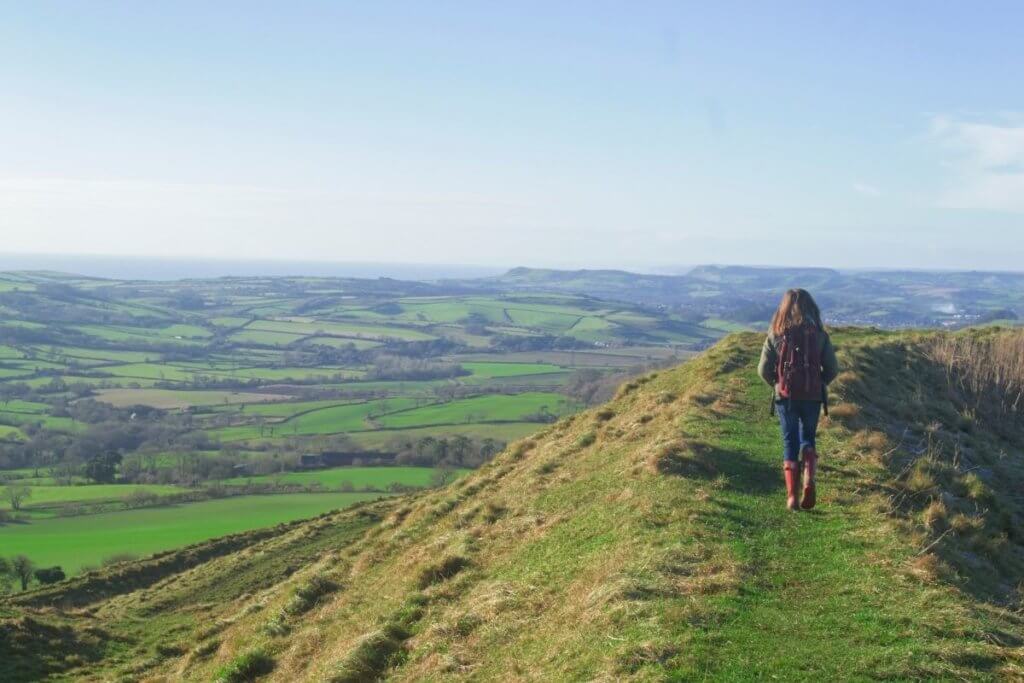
(74, 542)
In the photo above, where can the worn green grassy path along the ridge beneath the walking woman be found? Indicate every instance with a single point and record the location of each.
(824, 596)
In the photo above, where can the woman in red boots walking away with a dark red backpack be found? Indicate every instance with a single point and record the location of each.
(798, 360)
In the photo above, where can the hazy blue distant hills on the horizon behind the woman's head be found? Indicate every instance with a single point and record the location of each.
(748, 294)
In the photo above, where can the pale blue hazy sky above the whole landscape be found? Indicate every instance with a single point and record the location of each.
(552, 134)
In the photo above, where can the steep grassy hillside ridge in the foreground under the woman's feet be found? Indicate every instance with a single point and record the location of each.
(644, 540)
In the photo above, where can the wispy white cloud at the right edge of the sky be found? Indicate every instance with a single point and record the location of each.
(987, 161)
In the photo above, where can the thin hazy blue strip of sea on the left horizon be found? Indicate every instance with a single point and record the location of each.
(143, 268)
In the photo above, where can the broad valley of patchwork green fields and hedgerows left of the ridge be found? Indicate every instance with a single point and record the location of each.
(111, 391)
